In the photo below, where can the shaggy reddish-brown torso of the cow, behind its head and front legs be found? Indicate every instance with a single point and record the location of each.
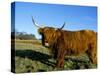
(76, 42)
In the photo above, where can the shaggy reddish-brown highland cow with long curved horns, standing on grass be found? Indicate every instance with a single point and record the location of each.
(63, 42)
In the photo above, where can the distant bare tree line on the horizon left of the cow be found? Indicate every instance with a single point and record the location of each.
(22, 36)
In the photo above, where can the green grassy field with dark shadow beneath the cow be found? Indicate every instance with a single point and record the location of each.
(31, 56)
